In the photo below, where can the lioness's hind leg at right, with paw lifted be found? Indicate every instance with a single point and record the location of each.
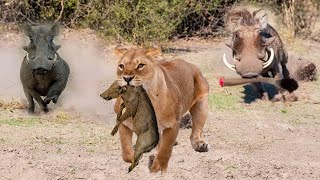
(199, 113)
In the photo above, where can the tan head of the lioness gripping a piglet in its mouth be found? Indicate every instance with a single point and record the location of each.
(136, 66)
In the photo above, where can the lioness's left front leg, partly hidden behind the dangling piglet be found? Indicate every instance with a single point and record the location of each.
(126, 143)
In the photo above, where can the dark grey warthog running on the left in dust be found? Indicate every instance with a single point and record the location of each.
(43, 72)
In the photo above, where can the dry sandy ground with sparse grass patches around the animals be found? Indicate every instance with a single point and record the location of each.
(249, 138)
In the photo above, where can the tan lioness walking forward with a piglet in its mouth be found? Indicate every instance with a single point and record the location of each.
(174, 87)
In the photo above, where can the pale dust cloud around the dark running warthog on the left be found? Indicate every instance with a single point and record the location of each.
(92, 70)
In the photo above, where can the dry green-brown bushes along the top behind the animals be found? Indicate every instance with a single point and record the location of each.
(145, 21)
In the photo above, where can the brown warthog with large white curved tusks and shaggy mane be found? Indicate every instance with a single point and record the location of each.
(256, 47)
